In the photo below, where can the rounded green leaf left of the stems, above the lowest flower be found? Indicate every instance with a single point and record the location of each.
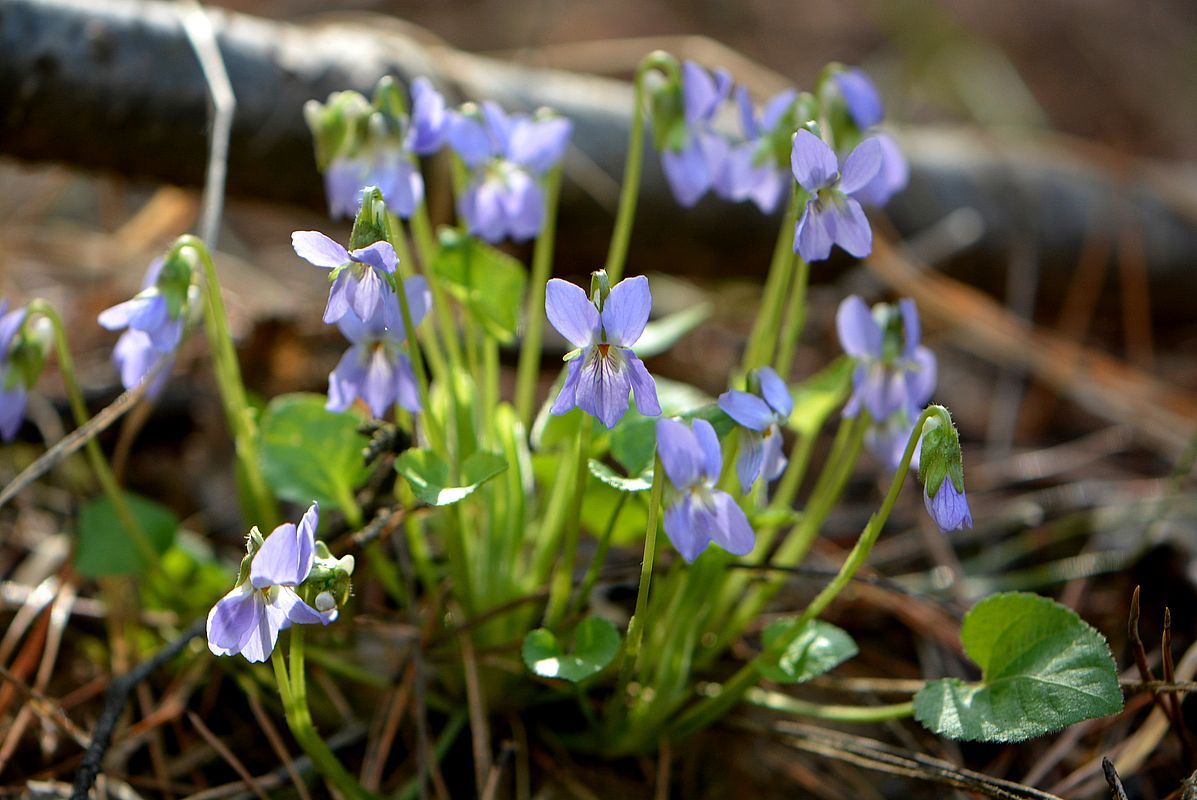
(309, 453)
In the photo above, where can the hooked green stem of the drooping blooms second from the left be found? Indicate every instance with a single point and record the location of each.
(241, 417)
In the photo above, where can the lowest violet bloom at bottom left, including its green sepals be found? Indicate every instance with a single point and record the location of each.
(266, 599)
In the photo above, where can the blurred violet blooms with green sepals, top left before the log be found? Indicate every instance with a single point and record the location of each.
(360, 144)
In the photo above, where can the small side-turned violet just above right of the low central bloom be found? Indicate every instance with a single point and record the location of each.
(762, 420)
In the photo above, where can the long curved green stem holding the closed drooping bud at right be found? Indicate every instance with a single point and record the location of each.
(719, 704)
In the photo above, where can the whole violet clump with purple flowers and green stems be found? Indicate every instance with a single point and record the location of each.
(490, 501)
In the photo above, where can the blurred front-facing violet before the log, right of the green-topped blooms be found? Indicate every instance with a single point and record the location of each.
(507, 156)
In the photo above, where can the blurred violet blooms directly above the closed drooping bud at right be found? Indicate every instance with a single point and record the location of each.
(895, 375)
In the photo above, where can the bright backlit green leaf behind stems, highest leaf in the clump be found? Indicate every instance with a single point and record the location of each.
(490, 283)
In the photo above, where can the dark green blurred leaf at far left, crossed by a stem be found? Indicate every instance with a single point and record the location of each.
(106, 548)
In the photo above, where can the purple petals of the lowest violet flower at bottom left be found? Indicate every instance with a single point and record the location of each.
(248, 620)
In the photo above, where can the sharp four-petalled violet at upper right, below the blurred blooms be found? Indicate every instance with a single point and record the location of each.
(833, 215)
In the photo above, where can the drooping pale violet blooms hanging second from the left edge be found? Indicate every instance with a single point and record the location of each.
(153, 322)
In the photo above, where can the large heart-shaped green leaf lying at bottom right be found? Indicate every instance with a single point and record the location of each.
(1043, 669)
